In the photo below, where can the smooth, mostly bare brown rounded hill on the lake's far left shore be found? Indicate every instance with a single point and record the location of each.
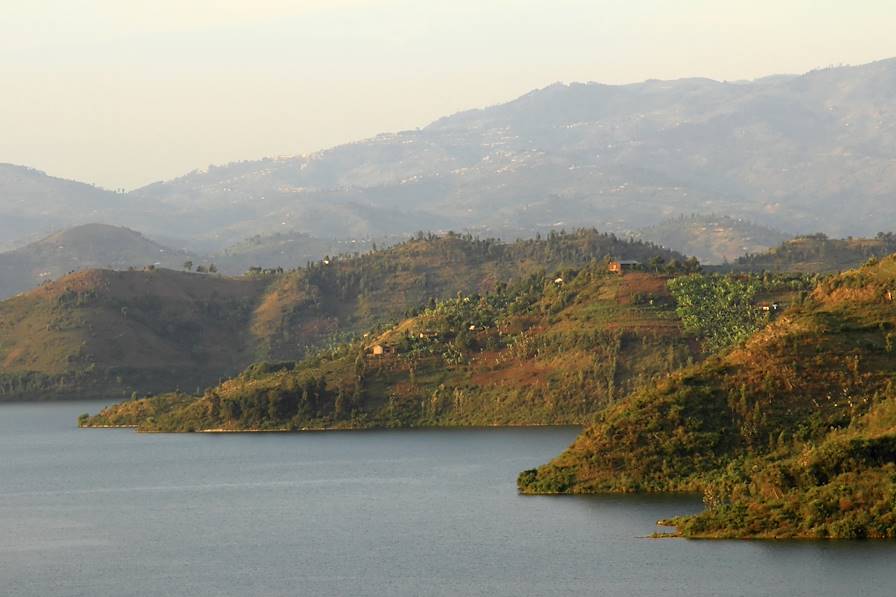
(102, 333)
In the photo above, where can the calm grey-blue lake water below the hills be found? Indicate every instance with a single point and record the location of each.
(112, 512)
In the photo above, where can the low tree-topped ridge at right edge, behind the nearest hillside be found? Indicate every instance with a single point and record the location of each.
(817, 254)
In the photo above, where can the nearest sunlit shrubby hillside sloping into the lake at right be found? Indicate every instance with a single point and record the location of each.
(791, 434)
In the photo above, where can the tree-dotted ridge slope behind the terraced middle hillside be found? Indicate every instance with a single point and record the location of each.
(309, 305)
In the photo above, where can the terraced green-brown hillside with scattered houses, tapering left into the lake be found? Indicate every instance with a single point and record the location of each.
(547, 350)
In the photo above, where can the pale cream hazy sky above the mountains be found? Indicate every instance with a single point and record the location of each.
(124, 92)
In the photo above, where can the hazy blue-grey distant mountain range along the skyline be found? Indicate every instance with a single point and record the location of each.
(809, 153)
